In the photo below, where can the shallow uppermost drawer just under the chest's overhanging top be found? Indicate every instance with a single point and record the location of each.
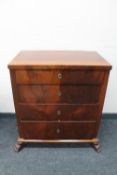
(59, 77)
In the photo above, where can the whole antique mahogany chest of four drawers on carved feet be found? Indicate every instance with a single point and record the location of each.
(59, 95)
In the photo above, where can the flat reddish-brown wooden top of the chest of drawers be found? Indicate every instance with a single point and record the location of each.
(59, 59)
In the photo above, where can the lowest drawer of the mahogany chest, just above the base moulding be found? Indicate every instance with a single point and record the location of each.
(54, 130)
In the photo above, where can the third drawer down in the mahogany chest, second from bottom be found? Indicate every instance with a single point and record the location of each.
(59, 112)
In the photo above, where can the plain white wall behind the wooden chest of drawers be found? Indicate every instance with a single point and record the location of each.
(59, 25)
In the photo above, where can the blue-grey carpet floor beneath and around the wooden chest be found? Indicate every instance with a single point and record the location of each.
(58, 159)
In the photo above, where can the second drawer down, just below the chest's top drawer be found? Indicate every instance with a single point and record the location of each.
(59, 94)
